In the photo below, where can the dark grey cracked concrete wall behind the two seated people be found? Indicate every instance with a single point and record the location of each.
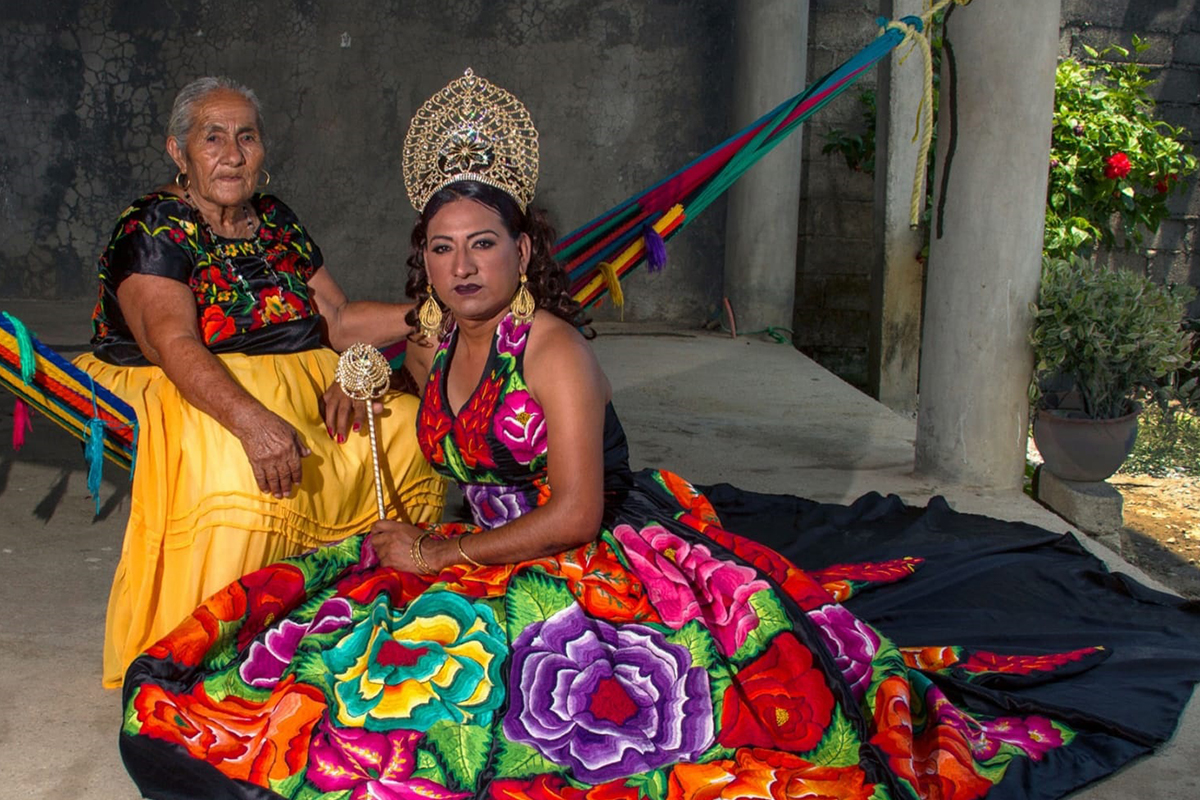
(623, 93)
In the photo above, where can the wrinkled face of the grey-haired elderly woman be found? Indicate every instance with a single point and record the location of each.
(224, 153)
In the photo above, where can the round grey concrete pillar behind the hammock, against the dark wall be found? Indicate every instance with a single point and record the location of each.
(763, 216)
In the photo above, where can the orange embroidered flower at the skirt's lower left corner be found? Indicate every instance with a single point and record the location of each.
(247, 741)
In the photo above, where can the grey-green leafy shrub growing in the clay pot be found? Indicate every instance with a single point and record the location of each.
(1113, 333)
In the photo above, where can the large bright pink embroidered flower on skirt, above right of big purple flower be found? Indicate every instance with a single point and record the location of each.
(686, 582)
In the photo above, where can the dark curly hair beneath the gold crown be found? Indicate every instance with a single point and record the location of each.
(548, 280)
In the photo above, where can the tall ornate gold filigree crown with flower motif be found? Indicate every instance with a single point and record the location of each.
(471, 131)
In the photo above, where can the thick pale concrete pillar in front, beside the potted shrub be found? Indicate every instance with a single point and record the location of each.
(986, 252)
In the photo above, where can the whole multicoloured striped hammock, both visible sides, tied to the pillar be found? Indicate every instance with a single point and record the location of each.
(597, 256)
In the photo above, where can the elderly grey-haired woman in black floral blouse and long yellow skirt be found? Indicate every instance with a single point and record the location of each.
(219, 322)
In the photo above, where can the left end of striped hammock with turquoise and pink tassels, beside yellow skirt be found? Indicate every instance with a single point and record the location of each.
(45, 381)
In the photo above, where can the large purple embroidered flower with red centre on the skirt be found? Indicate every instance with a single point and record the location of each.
(607, 701)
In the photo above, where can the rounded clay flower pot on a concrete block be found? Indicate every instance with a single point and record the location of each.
(1084, 449)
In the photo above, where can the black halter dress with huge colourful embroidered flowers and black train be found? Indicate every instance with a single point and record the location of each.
(668, 659)
